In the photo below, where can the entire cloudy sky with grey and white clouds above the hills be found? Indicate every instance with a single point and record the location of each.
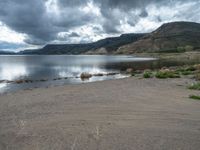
(29, 24)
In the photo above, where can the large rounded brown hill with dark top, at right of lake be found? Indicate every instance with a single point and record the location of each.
(170, 37)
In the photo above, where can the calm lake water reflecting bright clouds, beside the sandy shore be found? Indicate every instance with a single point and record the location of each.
(67, 68)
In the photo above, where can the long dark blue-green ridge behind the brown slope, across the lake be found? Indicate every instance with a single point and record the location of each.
(105, 46)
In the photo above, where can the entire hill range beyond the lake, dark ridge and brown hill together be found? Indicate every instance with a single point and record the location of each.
(170, 37)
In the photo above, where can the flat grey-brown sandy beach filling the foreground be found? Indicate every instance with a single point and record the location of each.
(125, 114)
